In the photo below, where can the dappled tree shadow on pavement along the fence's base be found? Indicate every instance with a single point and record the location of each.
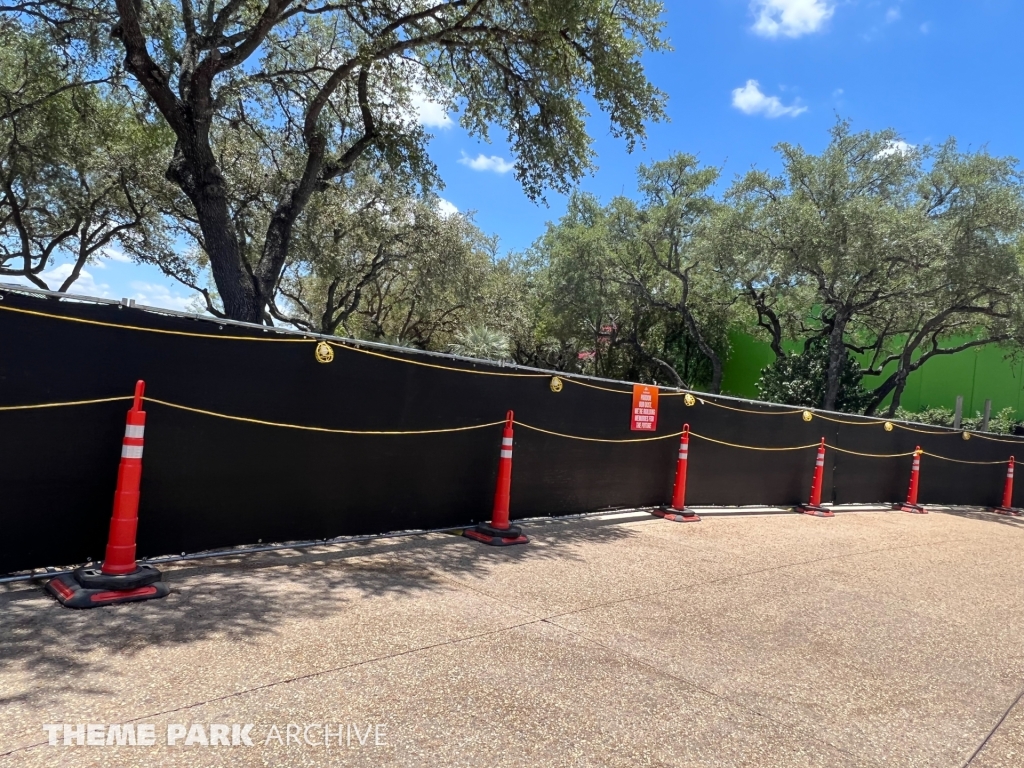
(243, 596)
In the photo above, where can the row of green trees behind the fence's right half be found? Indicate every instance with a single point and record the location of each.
(875, 255)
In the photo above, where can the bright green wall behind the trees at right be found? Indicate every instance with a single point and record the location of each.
(976, 374)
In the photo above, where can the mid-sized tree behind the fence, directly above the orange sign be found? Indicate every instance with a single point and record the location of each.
(630, 288)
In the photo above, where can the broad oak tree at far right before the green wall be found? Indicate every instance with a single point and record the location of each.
(893, 252)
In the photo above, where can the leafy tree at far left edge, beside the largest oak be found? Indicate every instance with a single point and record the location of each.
(78, 170)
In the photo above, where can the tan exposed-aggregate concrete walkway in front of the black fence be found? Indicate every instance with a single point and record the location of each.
(872, 639)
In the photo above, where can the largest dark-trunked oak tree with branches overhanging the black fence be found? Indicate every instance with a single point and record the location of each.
(314, 90)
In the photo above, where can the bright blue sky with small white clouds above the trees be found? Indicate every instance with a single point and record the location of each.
(746, 75)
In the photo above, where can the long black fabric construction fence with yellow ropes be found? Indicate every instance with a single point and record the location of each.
(210, 482)
